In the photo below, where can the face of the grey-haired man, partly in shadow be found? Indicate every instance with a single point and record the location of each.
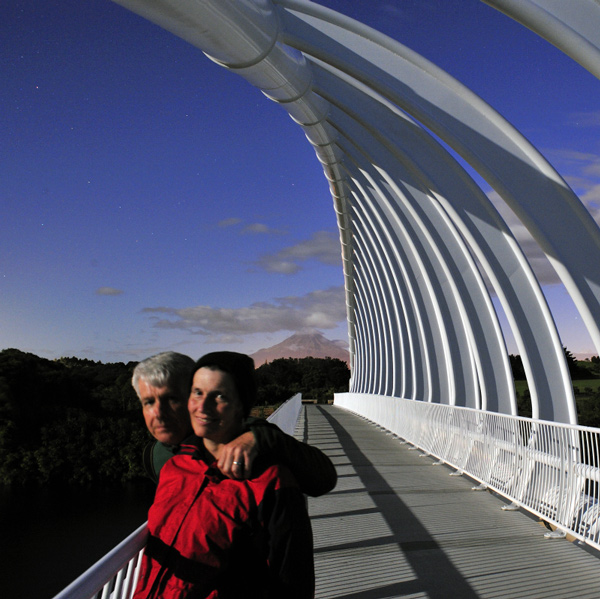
(165, 412)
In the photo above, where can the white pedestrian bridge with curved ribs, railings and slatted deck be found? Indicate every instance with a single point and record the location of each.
(424, 251)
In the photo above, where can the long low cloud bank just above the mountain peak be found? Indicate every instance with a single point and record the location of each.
(322, 309)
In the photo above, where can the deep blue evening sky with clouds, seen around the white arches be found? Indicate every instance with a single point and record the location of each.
(151, 200)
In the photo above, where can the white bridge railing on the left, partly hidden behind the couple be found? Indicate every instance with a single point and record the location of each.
(115, 575)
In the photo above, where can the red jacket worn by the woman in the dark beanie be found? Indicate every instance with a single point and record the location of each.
(213, 537)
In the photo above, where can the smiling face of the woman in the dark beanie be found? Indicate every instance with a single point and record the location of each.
(215, 408)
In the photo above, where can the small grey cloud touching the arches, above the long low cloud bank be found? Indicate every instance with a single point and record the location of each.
(323, 246)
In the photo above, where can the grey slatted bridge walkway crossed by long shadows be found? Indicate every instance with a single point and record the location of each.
(398, 526)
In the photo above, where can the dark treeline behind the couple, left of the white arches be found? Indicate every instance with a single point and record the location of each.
(76, 421)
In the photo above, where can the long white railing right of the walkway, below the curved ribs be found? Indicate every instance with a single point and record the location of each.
(549, 469)
